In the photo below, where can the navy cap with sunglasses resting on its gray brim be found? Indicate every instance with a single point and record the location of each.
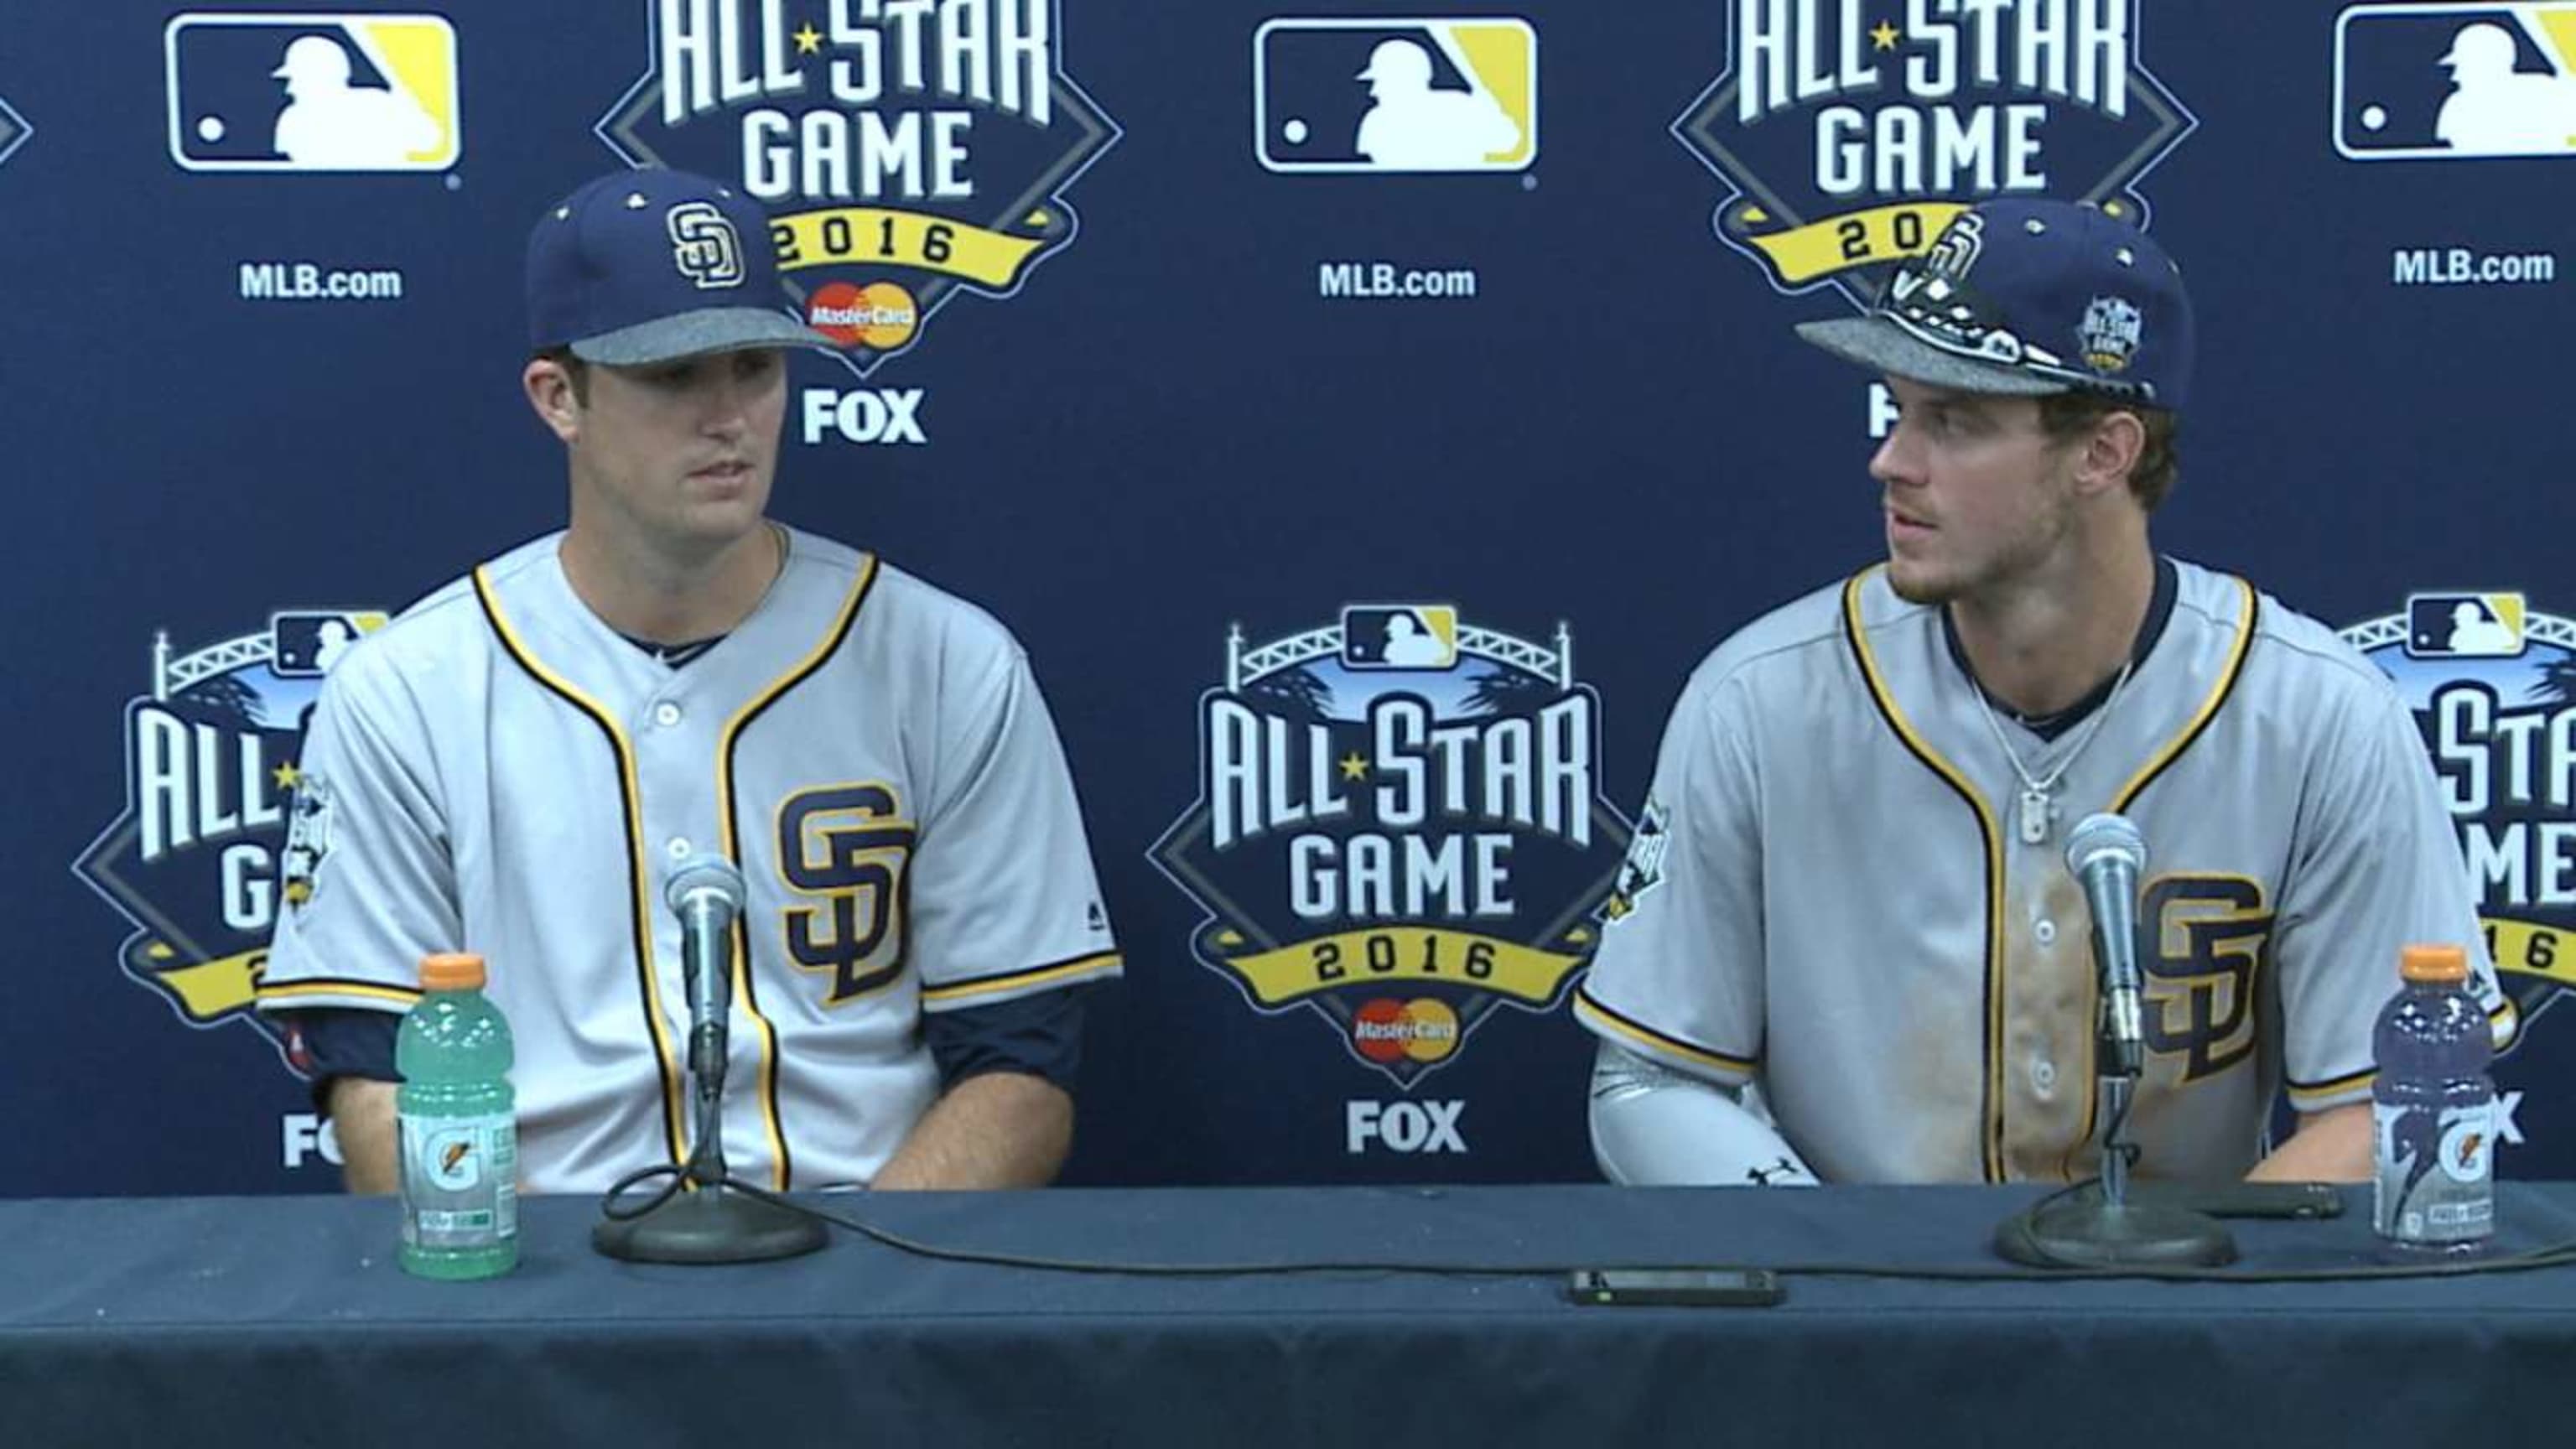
(2031, 298)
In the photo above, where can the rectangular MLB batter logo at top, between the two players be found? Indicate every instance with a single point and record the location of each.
(1395, 94)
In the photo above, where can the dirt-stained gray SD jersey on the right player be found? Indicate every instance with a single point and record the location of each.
(1830, 891)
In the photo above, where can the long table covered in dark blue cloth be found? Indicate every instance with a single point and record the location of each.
(285, 1321)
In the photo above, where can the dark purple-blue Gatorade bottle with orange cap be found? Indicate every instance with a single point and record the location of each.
(2436, 1110)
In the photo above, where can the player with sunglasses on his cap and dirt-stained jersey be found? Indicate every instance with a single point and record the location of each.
(1846, 942)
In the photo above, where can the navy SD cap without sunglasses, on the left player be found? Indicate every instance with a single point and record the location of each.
(648, 267)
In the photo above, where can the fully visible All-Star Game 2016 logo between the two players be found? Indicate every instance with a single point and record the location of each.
(1400, 829)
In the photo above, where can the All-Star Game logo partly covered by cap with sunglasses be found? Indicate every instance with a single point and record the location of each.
(1853, 130)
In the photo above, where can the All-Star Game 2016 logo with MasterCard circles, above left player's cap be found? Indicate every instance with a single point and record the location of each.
(905, 153)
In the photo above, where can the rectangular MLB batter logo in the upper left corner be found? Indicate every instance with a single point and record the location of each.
(313, 92)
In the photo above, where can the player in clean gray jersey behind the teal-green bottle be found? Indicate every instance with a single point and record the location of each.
(522, 762)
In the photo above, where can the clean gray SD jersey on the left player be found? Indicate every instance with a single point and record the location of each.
(501, 772)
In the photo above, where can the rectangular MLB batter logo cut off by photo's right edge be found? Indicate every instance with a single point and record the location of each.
(2456, 81)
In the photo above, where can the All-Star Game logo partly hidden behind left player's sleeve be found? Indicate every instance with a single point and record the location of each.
(200, 860)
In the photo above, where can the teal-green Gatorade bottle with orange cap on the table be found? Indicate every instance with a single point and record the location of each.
(460, 1128)
